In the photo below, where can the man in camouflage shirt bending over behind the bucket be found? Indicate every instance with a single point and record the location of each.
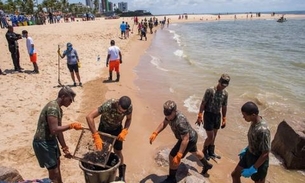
(112, 113)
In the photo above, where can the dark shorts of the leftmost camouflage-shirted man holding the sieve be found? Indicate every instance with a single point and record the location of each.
(47, 153)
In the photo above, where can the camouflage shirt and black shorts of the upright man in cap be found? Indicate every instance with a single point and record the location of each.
(214, 100)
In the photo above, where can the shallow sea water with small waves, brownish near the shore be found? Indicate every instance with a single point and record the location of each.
(265, 59)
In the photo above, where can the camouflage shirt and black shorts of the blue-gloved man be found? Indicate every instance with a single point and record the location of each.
(259, 141)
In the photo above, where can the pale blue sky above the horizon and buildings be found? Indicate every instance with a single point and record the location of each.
(210, 6)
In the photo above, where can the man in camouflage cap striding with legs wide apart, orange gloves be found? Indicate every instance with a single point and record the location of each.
(186, 136)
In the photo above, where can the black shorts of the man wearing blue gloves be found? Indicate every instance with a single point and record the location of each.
(248, 160)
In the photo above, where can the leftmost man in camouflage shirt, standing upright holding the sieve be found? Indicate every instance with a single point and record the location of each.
(50, 131)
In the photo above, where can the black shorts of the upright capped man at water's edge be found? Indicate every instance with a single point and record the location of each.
(211, 121)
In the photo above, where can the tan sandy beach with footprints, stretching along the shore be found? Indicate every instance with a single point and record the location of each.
(23, 95)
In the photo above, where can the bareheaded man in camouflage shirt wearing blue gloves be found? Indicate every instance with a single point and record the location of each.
(254, 159)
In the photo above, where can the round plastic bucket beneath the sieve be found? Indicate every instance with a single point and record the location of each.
(97, 174)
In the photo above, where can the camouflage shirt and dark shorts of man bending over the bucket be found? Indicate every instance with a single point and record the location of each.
(111, 119)
